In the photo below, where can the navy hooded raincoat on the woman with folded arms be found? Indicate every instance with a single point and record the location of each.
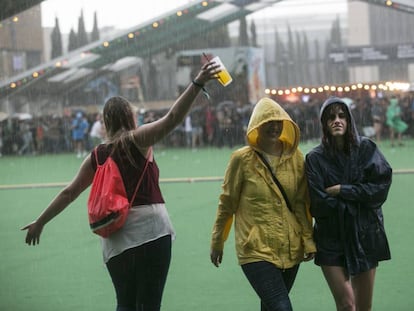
(353, 220)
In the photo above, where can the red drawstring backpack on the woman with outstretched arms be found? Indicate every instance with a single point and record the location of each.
(108, 203)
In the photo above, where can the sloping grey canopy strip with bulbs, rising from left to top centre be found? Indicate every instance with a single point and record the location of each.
(141, 40)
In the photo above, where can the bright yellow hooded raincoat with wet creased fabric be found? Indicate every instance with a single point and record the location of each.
(265, 229)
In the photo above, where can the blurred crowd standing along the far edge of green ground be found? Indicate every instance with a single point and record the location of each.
(223, 125)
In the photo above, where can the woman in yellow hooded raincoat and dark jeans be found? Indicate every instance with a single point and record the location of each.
(273, 234)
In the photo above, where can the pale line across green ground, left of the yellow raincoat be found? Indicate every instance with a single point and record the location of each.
(63, 184)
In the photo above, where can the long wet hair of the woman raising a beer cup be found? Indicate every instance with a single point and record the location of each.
(119, 121)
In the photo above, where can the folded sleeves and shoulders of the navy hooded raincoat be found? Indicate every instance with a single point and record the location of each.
(365, 180)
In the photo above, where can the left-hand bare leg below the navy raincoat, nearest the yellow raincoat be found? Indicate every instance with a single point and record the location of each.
(340, 286)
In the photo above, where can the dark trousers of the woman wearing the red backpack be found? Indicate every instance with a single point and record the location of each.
(139, 275)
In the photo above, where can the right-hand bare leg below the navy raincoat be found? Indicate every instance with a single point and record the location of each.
(363, 285)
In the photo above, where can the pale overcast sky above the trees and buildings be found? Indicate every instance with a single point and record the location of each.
(123, 14)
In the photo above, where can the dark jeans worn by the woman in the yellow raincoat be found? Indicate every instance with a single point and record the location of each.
(271, 284)
